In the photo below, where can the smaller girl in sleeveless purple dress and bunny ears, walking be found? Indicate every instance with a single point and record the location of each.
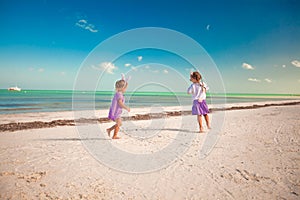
(115, 110)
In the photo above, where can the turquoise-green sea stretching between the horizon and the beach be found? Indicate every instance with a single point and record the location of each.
(61, 100)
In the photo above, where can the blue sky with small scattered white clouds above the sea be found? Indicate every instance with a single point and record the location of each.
(254, 44)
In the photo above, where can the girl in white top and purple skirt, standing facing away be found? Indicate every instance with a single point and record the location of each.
(198, 91)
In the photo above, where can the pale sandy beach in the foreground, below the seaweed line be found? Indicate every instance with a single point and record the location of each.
(256, 156)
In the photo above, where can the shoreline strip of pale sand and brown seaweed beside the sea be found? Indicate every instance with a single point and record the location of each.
(138, 114)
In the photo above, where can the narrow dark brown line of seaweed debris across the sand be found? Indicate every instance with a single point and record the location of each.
(39, 124)
